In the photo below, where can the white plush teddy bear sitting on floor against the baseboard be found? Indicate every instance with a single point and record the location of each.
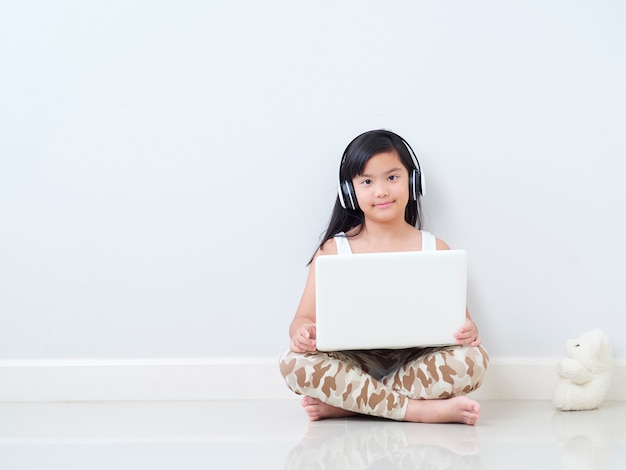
(585, 374)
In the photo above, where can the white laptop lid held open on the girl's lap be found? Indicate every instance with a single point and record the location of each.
(390, 300)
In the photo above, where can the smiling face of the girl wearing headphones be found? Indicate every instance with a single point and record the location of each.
(382, 190)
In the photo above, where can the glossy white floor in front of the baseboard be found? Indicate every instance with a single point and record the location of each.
(277, 435)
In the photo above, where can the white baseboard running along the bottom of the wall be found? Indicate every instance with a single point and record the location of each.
(233, 379)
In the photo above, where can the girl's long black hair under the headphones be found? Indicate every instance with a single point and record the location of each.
(355, 157)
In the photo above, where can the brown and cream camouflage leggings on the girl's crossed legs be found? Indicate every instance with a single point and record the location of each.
(380, 382)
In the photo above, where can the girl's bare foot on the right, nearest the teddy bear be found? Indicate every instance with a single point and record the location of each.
(452, 410)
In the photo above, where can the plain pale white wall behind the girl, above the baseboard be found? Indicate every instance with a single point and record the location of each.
(166, 168)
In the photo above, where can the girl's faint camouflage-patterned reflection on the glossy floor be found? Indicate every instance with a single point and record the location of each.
(363, 443)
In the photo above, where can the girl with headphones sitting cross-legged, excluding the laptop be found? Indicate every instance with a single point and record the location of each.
(377, 209)
